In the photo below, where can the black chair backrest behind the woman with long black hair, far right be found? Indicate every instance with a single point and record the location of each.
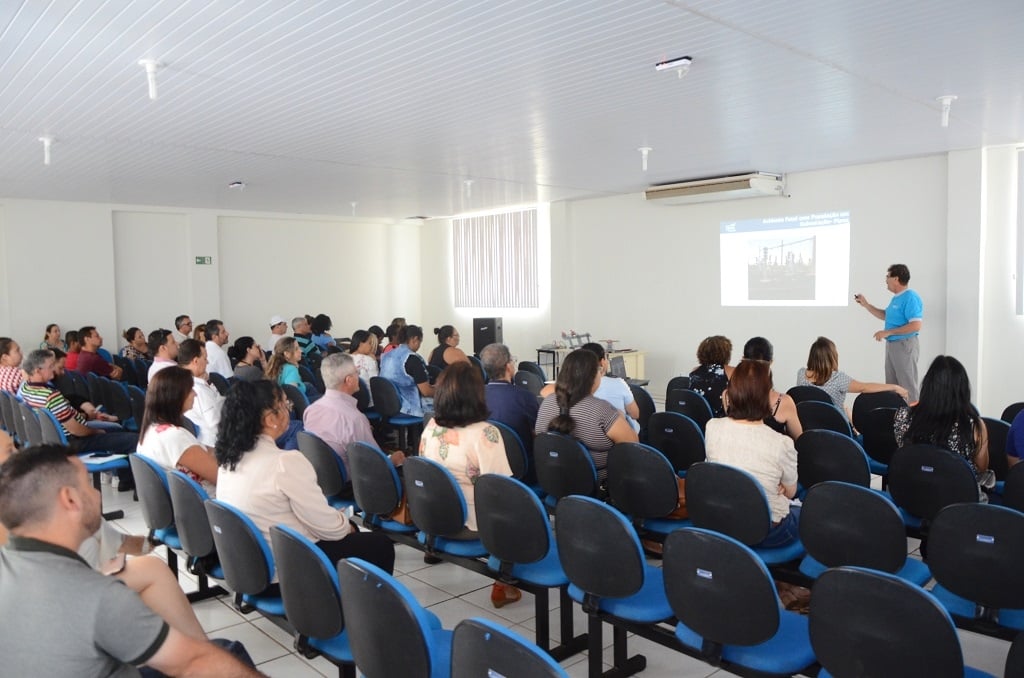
(925, 479)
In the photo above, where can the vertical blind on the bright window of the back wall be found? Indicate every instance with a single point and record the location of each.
(495, 261)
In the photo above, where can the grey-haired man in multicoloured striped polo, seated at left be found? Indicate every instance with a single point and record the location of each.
(38, 393)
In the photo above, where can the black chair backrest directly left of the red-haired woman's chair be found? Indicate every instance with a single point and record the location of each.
(642, 482)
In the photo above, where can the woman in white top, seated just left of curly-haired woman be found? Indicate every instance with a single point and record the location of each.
(163, 437)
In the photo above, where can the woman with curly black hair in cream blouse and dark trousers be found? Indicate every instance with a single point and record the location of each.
(273, 487)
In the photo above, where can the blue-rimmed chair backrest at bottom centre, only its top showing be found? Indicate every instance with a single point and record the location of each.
(481, 648)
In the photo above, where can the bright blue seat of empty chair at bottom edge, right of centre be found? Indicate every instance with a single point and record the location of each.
(787, 653)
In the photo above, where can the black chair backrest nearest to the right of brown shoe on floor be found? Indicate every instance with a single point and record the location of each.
(589, 533)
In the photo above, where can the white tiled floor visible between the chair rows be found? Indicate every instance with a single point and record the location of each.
(454, 595)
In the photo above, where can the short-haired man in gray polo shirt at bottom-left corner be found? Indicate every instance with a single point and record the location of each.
(61, 617)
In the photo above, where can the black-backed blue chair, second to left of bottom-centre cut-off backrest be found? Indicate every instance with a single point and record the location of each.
(313, 599)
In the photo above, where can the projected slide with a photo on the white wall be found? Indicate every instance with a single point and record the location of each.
(787, 262)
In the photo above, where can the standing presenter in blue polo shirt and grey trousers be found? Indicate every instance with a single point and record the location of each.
(904, 317)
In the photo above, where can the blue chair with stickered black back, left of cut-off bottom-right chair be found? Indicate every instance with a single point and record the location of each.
(729, 608)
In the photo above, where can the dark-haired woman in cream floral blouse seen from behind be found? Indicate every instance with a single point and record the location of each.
(460, 439)
